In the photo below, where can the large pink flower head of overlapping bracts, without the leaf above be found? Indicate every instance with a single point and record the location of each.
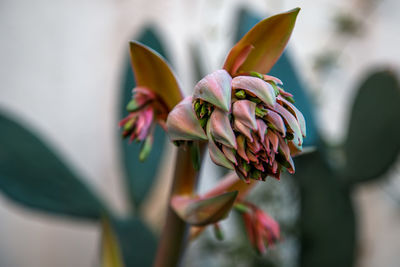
(250, 121)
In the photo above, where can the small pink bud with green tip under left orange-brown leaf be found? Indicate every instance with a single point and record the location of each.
(145, 110)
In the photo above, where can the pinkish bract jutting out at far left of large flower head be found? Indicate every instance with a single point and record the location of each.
(182, 122)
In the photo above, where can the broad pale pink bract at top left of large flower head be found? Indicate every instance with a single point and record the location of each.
(215, 88)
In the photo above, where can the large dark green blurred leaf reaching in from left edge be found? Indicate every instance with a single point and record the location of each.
(32, 174)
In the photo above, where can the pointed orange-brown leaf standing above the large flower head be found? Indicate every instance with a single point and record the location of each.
(269, 38)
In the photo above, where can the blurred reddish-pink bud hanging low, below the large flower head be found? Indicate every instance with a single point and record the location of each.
(262, 230)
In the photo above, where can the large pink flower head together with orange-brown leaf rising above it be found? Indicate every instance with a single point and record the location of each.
(249, 120)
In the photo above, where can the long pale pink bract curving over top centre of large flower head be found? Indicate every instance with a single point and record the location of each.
(256, 86)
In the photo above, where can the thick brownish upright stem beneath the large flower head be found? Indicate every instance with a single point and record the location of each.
(175, 232)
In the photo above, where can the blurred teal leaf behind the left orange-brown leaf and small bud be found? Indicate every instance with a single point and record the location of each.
(140, 176)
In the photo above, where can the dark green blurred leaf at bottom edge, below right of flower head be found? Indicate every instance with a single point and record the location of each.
(327, 219)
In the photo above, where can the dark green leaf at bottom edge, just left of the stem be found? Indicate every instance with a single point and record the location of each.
(137, 242)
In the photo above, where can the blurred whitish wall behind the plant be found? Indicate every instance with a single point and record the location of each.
(60, 68)
